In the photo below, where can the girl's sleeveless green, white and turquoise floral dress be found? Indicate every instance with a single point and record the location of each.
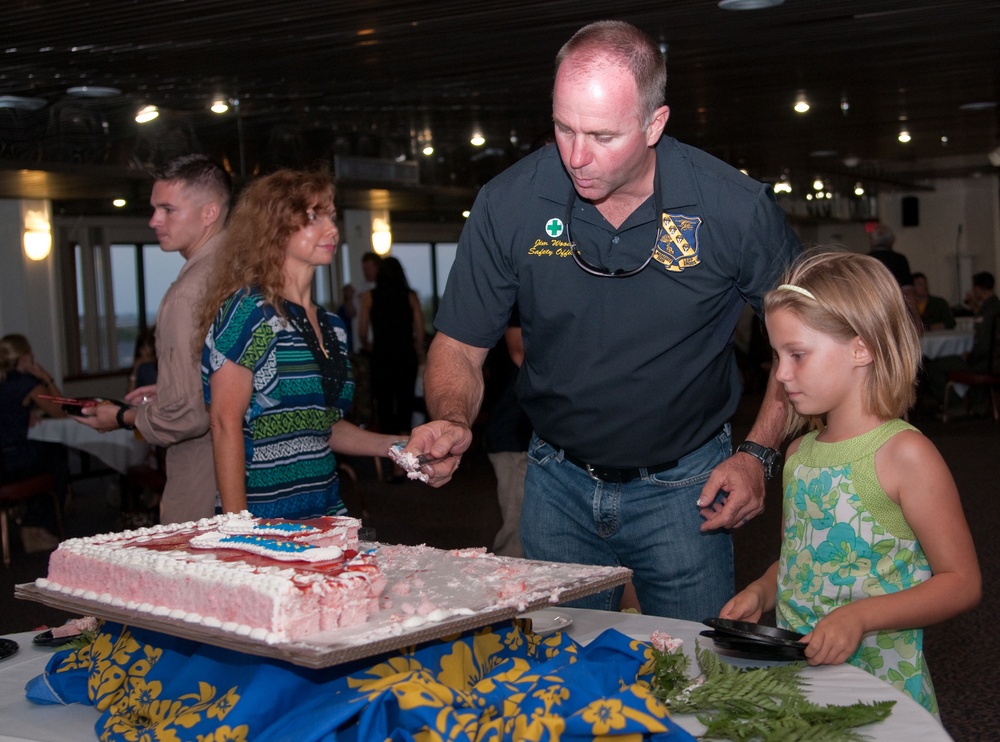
(844, 540)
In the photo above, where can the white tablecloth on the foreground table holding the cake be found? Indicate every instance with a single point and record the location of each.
(841, 684)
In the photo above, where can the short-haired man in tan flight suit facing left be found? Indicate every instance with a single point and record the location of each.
(190, 203)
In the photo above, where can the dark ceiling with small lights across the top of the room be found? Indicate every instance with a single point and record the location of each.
(317, 79)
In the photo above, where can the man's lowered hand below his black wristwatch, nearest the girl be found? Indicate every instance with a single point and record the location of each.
(733, 494)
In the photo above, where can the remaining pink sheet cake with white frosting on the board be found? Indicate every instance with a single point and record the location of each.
(270, 579)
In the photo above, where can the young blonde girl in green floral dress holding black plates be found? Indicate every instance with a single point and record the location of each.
(875, 543)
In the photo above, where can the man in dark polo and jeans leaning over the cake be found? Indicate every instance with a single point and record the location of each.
(630, 257)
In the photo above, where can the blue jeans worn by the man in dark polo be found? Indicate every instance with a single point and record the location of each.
(650, 525)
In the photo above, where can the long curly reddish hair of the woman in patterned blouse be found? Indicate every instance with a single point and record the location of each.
(269, 211)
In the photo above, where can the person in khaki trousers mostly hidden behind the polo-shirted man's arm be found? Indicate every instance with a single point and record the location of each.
(506, 435)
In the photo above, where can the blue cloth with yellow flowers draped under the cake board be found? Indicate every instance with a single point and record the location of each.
(501, 682)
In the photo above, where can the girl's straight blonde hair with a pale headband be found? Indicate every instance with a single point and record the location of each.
(846, 295)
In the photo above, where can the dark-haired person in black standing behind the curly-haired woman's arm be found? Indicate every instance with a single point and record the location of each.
(392, 311)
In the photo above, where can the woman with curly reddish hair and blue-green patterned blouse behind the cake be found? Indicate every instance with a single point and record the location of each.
(276, 372)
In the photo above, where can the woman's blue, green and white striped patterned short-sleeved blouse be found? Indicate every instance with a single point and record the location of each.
(298, 394)
